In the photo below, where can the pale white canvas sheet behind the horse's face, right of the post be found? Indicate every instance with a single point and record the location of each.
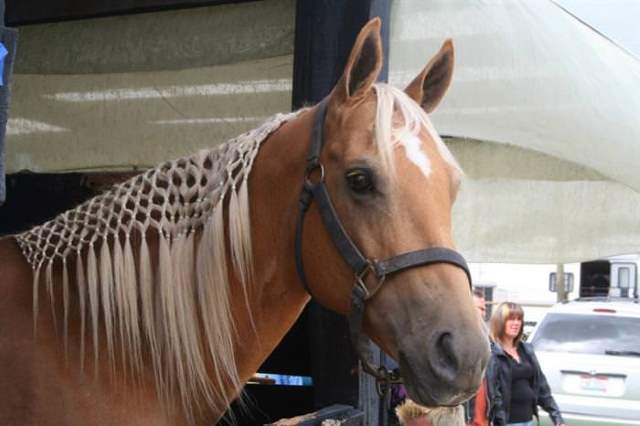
(532, 80)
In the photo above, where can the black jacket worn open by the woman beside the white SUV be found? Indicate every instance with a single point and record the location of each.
(499, 386)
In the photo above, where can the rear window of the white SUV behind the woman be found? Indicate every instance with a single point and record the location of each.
(589, 334)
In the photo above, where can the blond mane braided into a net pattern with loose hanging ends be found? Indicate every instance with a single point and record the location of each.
(181, 309)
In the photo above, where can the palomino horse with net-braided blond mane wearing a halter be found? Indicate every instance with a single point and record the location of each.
(154, 302)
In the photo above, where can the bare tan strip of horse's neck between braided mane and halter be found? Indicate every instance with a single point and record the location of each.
(277, 297)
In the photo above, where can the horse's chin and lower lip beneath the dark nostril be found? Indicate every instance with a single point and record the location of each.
(424, 389)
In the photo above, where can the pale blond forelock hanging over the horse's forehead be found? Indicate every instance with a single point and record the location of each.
(414, 120)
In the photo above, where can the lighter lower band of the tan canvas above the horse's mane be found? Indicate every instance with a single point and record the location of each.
(132, 121)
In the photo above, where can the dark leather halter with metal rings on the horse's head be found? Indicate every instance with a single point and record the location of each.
(361, 266)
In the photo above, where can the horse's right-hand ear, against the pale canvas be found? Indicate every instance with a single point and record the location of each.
(429, 87)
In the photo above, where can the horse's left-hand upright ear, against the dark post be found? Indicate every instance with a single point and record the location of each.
(364, 64)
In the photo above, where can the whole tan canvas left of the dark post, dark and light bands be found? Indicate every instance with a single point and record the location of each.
(125, 93)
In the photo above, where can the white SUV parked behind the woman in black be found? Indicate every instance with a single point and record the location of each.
(589, 350)
